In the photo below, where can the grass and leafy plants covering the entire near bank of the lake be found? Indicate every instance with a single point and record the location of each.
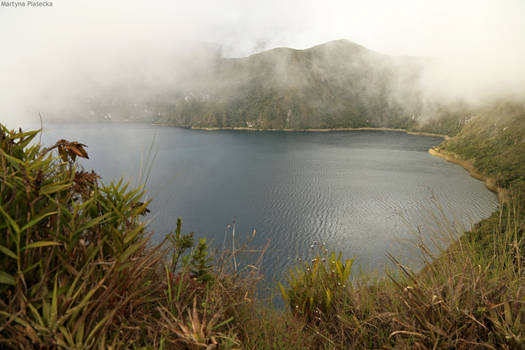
(77, 271)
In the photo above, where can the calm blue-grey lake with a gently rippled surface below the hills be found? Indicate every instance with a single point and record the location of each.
(362, 192)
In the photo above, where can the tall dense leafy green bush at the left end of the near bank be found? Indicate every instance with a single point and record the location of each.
(67, 243)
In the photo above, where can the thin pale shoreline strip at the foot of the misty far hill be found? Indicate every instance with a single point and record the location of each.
(242, 128)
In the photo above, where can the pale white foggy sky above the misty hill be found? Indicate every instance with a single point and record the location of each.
(46, 52)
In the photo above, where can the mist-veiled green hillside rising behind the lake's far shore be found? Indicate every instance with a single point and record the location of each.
(338, 84)
